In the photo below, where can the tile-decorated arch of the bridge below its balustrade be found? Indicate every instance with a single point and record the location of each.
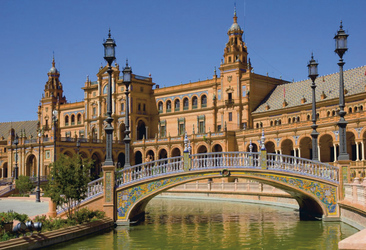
(315, 199)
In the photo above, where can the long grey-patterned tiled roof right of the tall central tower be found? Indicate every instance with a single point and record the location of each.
(293, 92)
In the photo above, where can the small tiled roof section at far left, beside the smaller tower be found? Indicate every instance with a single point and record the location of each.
(30, 128)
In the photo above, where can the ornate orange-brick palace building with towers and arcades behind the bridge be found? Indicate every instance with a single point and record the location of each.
(225, 113)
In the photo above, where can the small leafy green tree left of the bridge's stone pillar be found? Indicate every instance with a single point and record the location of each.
(68, 181)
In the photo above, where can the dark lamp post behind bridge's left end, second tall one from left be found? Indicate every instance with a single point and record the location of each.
(127, 71)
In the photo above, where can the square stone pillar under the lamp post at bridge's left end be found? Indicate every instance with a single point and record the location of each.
(109, 184)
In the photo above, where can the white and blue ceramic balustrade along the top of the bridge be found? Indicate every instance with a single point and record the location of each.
(229, 160)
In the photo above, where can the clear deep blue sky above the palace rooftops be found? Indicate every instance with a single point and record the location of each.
(176, 41)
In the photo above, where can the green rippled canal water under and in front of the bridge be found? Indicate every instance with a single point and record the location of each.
(202, 224)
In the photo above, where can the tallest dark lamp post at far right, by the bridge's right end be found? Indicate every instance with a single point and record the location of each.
(341, 48)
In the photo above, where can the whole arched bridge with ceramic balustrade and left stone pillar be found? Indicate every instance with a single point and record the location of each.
(124, 194)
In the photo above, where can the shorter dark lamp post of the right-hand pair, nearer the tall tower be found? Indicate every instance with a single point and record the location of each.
(313, 74)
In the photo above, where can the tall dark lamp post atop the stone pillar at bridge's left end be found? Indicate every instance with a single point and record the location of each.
(109, 56)
